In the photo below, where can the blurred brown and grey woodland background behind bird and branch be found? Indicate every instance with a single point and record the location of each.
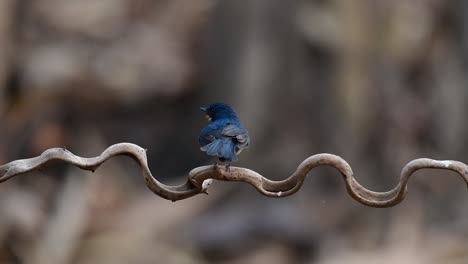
(377, 82)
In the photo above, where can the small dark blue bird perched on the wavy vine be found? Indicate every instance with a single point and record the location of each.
(224, 136)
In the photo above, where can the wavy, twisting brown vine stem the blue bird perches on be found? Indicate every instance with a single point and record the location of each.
(200, 178)
